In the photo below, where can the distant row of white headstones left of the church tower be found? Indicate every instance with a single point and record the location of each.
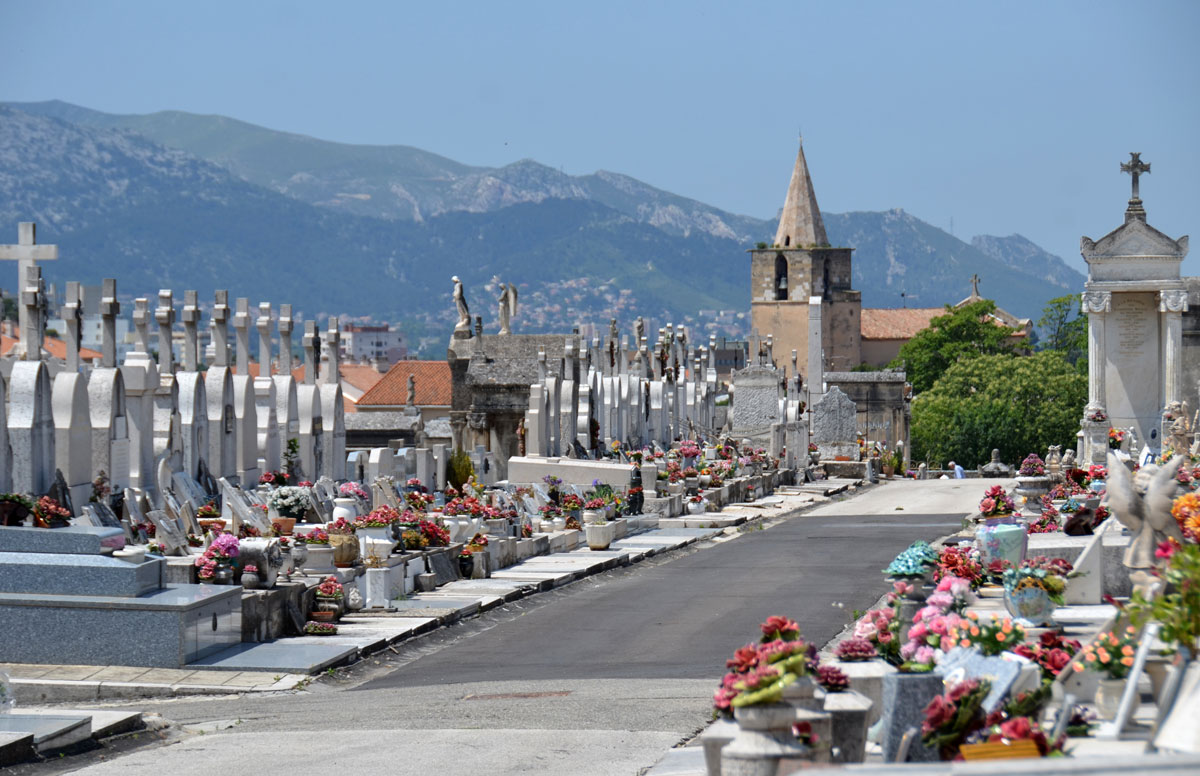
(653, 400)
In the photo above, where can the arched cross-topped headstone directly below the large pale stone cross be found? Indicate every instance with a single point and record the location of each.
(31, 407)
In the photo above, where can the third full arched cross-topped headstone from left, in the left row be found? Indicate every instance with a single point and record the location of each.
(106, 400)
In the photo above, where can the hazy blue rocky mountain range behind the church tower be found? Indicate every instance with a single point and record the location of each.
(181, 201)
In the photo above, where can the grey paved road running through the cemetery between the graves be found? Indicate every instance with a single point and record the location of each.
(602, 677)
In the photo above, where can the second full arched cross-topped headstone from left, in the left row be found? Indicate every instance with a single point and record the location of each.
(73, 420)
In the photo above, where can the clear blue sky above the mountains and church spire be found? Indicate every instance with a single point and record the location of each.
(979, 118)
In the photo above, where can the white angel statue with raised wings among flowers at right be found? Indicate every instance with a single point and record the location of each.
(1143, 504)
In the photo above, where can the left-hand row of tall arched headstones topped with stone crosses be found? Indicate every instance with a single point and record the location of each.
(140, 422)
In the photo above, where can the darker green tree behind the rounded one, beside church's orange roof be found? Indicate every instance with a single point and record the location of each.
(965, 333)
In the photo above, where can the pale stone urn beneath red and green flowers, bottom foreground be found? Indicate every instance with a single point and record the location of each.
(764, 739)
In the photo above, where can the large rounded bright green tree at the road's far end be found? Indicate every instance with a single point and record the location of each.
(1017, 405)
